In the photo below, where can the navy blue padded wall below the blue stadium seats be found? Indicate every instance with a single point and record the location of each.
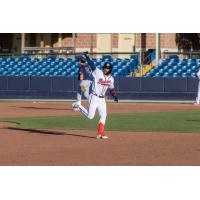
(128, 88)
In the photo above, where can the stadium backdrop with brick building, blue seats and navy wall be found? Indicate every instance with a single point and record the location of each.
(145, 65)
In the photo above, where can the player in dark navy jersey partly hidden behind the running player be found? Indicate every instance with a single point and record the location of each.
(84, 81)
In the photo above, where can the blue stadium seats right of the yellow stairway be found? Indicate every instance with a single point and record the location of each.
(175, 68)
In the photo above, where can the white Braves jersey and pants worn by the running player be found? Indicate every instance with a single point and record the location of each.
(100, 84)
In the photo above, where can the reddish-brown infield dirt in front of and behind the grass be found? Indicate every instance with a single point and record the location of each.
(47, 147)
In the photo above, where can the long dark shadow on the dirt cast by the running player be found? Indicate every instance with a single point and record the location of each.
(36, 131)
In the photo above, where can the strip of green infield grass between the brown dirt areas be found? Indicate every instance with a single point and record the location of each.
(188, 121)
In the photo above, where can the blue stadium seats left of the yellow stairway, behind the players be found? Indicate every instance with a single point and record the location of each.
(54, 66)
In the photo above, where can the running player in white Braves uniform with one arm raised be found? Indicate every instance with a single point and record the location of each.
(101, 81)
